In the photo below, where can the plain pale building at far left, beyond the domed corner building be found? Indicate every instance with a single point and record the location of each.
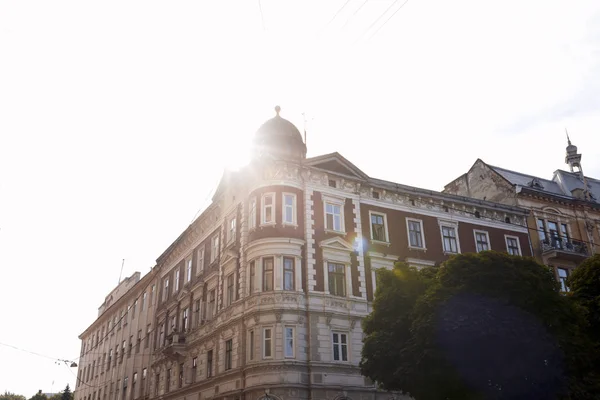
(115, 353)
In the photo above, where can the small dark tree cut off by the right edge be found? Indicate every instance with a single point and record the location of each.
(584, 285)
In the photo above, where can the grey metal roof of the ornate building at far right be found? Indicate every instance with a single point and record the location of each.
(562, 184)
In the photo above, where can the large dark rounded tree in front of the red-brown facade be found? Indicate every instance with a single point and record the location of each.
(485, 326)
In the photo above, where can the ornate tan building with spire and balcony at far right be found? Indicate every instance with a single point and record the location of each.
(564, 217)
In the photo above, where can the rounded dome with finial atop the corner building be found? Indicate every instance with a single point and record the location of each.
(278, 138)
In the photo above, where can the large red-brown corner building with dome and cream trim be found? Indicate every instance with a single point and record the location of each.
(262, 296)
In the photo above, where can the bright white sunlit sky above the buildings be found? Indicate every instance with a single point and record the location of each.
(117, 118)
